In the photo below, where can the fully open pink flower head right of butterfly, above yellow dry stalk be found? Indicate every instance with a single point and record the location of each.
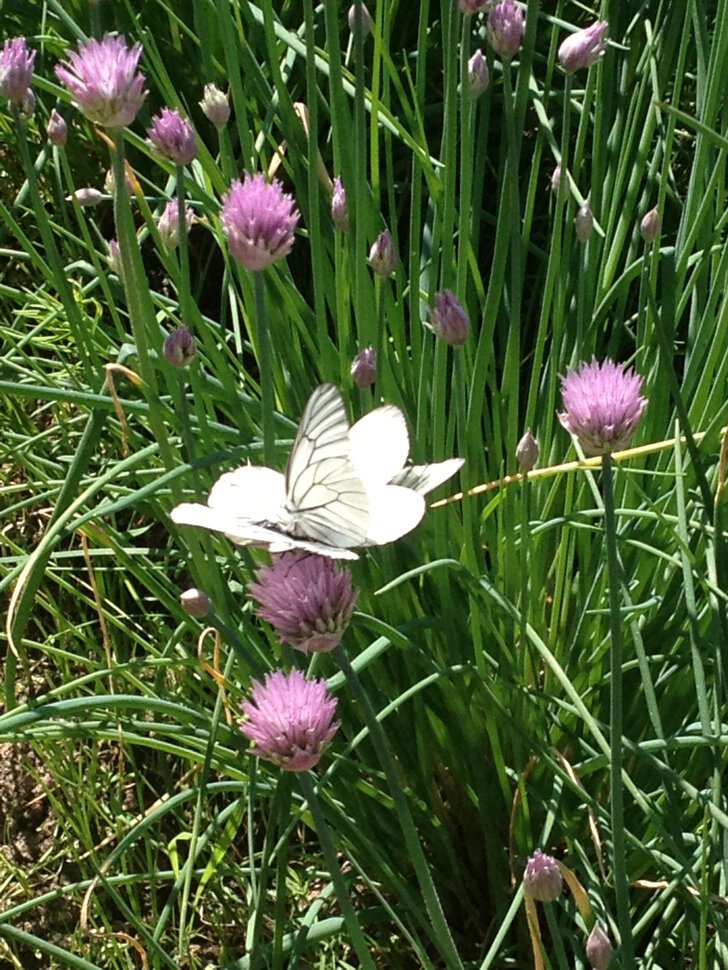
(603, 406)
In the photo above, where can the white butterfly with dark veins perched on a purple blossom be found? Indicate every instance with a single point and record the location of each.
(344, 487)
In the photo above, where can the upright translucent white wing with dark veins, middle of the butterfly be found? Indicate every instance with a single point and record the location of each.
(326, 499)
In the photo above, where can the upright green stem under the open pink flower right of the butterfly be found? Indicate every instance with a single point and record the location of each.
(619, 852)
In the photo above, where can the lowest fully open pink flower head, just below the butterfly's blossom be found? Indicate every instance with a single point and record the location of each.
(290, 720)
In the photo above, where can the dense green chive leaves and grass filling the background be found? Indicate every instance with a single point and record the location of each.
(482, 640)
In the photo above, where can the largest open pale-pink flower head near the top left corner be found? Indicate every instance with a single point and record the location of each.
(102, 76)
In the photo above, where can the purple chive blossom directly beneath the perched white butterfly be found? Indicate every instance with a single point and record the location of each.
(307, 600)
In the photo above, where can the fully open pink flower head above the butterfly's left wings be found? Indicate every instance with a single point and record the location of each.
(259, 219)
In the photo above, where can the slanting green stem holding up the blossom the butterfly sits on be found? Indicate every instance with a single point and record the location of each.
(441, 930)
